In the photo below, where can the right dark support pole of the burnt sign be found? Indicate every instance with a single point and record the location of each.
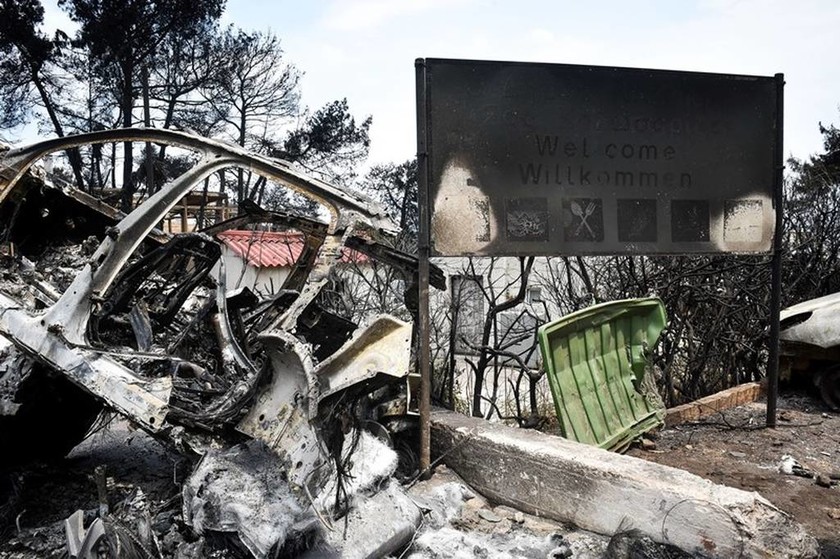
(776, 262)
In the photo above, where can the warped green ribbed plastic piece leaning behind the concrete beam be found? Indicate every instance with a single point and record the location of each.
(595, 362)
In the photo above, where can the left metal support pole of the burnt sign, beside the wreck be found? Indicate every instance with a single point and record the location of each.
(423, 249)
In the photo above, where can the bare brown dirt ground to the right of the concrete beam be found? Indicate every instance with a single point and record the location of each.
(734, 448)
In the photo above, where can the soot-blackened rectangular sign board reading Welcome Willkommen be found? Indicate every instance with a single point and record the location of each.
(542, 159)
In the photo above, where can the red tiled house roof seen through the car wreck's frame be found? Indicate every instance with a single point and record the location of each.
(274, 249)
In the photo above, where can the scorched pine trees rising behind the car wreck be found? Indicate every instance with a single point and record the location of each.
(167, 65)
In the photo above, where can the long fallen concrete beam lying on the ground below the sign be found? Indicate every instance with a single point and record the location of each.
(606, 492)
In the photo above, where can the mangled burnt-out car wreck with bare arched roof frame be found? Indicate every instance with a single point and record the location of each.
(270, 396)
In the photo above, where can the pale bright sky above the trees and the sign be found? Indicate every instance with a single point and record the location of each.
(365, 50)
